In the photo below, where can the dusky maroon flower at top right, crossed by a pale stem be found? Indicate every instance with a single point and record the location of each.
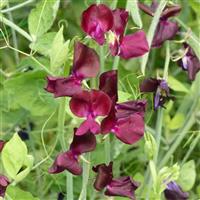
(166, 29)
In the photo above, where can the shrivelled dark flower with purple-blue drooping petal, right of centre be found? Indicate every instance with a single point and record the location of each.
(159, 88)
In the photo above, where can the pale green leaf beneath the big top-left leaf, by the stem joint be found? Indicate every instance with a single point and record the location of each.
(43, 44)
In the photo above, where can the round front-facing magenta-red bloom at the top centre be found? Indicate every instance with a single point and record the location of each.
(96, 21)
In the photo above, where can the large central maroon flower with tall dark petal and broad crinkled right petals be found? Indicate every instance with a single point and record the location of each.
(125, 120)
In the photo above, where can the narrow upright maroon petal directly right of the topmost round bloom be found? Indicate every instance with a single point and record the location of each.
(120, 17)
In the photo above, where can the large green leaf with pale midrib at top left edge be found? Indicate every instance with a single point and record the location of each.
(42, 17)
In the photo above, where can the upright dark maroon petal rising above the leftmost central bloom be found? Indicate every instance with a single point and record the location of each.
(86, 61)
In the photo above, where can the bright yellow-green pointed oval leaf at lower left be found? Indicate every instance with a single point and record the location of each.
(13, 155)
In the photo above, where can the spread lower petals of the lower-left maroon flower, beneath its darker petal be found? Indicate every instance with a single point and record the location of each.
(66, 161)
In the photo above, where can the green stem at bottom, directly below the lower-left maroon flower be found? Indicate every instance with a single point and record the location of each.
(86, 170)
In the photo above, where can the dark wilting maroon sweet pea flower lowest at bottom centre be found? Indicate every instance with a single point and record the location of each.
(122, 186)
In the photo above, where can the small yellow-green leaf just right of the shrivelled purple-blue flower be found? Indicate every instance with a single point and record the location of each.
(176, 85)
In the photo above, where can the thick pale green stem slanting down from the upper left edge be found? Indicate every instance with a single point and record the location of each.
(15, 27)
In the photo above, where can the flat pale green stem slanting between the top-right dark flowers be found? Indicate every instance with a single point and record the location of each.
(151, 32)
